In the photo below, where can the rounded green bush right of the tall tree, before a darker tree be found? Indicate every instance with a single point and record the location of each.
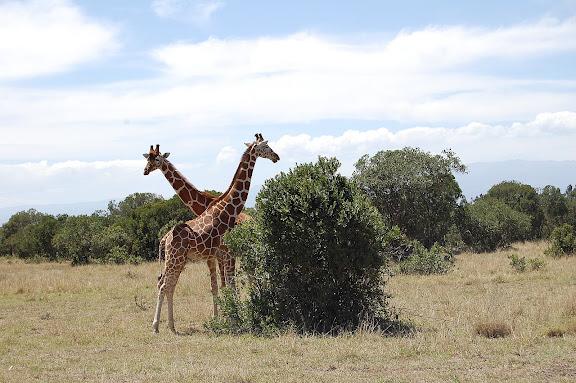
(488, 224)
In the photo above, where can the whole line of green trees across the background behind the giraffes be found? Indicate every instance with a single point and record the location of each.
(415, 193)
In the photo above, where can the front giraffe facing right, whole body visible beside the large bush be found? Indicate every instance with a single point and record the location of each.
(199, 239)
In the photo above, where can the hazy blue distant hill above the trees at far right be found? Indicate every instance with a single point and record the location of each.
(483, 175)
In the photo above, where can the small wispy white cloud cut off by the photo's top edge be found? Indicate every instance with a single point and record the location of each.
(196, 11)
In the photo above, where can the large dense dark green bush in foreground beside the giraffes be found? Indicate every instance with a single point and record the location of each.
(313, 254)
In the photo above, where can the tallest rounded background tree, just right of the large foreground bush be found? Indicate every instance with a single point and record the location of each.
(413, 189)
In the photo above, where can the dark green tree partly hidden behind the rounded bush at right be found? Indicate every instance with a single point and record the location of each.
(522, 198)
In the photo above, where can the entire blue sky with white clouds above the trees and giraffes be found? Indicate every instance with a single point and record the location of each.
(87, 86)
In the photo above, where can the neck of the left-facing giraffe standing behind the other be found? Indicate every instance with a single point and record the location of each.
(193, 198)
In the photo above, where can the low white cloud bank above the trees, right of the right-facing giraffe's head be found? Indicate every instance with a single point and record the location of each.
(548, 136)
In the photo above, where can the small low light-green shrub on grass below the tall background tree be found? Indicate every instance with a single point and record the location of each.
(436, 260)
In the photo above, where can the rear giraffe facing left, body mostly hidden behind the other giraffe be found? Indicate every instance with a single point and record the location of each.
(196, 201)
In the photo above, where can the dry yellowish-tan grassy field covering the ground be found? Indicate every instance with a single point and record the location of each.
(93, 323)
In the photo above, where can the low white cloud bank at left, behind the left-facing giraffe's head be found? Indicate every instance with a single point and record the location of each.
(43, 182)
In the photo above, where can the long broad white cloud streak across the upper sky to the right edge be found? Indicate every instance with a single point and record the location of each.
(426, 50)
